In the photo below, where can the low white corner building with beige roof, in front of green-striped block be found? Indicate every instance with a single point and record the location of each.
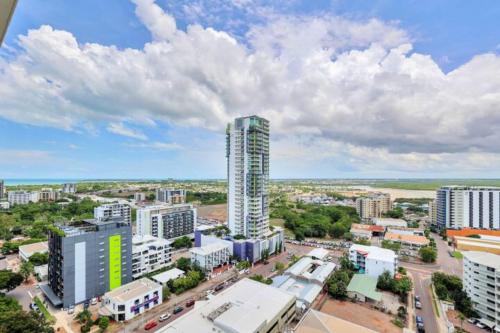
(132, 299)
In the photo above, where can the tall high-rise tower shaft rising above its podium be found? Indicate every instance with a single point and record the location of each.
(247, 152)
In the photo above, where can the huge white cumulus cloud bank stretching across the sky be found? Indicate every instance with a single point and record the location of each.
(327, 78)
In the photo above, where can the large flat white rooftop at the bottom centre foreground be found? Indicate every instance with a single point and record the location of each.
(244, 307)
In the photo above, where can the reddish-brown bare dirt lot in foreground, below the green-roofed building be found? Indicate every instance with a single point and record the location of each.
(361, 315)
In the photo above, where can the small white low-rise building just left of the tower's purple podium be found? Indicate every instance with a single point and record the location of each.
(210, 256)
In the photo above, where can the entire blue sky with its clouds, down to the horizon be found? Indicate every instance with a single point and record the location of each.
(75, 126)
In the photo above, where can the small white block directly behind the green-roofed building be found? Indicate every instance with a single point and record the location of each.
(373, 260)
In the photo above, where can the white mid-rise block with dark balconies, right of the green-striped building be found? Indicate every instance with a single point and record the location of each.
(166, 221)
